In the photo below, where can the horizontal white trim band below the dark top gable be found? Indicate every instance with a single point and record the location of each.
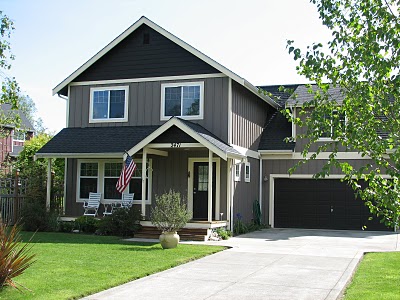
(148, 79)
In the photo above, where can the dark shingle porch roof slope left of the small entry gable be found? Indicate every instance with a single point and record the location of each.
(97, 139)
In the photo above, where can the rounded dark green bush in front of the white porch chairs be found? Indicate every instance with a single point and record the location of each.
(123, 222)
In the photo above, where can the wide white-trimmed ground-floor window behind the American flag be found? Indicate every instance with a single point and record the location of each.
(102, 176)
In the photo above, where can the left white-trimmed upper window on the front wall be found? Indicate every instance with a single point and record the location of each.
(109, 104)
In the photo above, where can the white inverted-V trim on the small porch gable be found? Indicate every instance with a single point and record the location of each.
(171, 122)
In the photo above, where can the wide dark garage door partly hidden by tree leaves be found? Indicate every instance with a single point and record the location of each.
(323, 204)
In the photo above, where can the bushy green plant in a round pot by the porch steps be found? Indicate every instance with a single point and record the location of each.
(169, 215)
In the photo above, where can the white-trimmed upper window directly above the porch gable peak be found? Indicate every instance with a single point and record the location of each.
(184, 100)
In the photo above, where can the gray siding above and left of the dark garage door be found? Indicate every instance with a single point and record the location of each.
(281, 167)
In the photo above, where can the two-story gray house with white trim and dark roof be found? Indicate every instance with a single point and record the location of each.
(191, 125)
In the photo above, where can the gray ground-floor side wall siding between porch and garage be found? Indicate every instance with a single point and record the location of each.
(244, 193)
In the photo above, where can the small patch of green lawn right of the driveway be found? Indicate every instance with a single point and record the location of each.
(377, 277)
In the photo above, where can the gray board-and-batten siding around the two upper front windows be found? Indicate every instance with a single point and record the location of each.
(144, 105)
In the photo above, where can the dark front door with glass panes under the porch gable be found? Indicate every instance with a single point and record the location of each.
(200, 190)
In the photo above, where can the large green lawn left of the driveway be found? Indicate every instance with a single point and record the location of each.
(74, 265)
